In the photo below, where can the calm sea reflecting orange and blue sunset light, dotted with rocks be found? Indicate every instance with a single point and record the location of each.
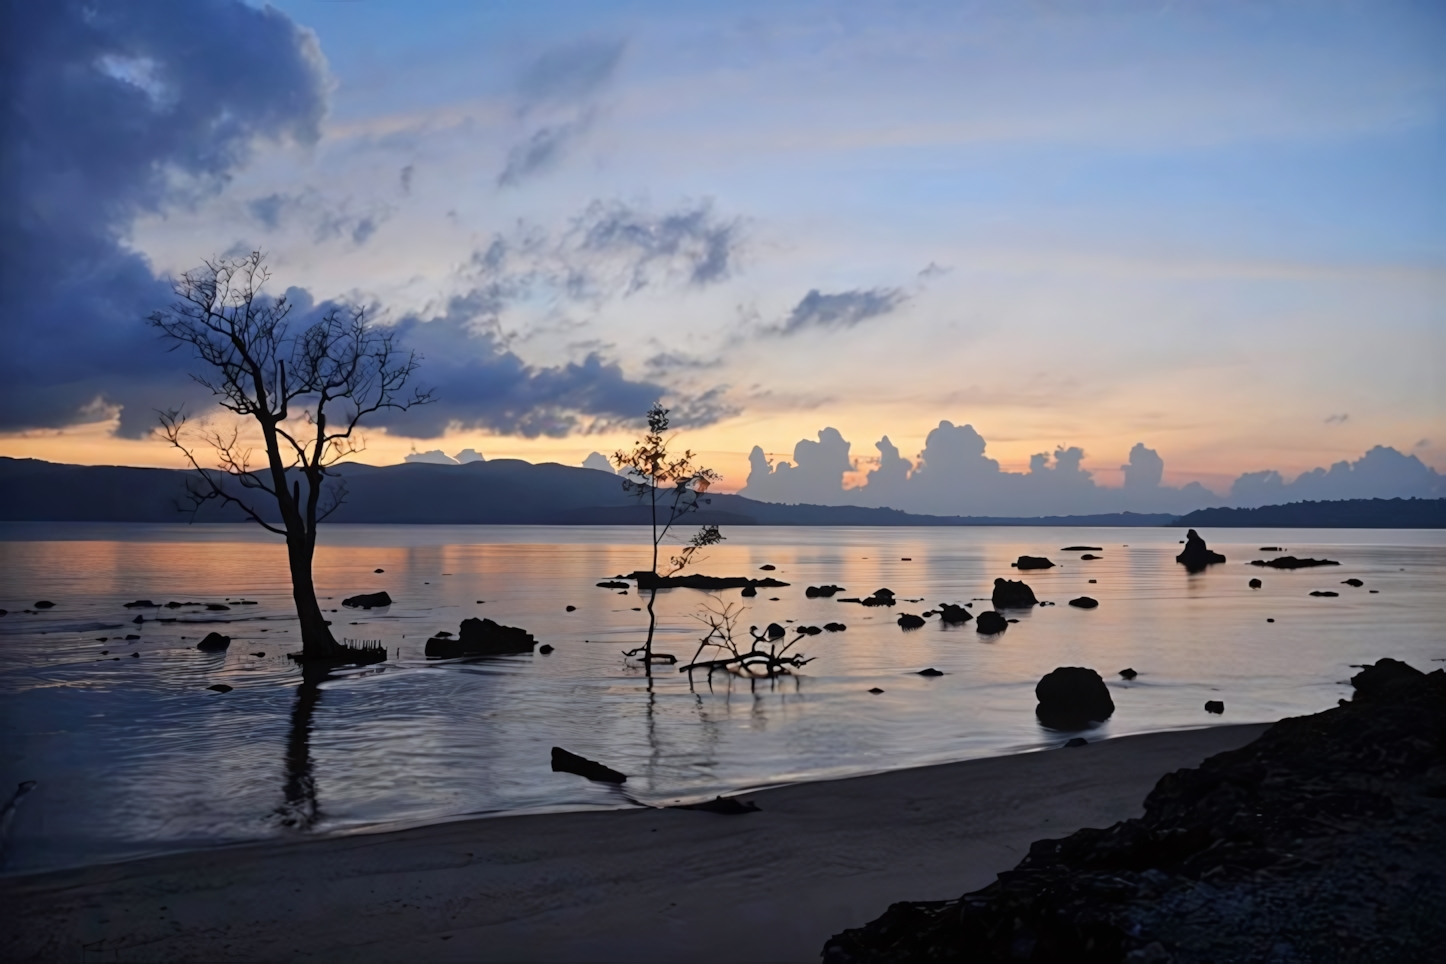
(135, 755)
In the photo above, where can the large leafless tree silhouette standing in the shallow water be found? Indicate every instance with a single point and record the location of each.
(307, 388)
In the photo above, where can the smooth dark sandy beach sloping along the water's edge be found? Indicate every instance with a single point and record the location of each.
(649, 885)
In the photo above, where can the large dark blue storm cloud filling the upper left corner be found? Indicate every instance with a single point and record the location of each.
(105, 106)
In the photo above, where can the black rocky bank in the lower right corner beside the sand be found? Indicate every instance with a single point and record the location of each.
(1324, 840)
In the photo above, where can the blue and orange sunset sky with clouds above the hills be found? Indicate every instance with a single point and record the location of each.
(1095, 235)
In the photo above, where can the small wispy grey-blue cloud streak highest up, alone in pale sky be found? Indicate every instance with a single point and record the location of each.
(557, 103)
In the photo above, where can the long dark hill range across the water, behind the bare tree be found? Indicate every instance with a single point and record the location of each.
(498, 492)
